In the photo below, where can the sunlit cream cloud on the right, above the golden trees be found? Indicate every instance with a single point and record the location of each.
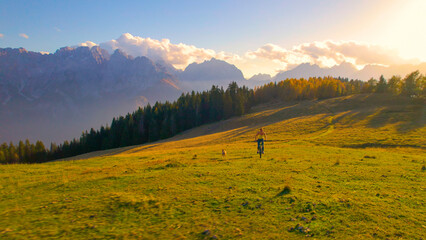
(328, 53)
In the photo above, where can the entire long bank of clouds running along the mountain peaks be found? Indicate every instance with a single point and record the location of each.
(269, 58)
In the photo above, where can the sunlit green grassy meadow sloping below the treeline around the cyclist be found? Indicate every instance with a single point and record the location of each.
(344, 168)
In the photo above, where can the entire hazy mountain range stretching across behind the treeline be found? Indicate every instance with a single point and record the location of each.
(53, 97)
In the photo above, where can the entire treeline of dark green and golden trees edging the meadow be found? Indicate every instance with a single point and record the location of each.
(164, 120)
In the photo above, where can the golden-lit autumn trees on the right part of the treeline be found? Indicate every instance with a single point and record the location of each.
(413, 85)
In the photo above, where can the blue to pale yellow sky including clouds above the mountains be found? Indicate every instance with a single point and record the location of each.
(257, 36)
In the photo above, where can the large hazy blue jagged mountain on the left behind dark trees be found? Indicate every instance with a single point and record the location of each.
(53, 97)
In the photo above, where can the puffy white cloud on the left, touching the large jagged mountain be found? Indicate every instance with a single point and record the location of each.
(179, 55)
